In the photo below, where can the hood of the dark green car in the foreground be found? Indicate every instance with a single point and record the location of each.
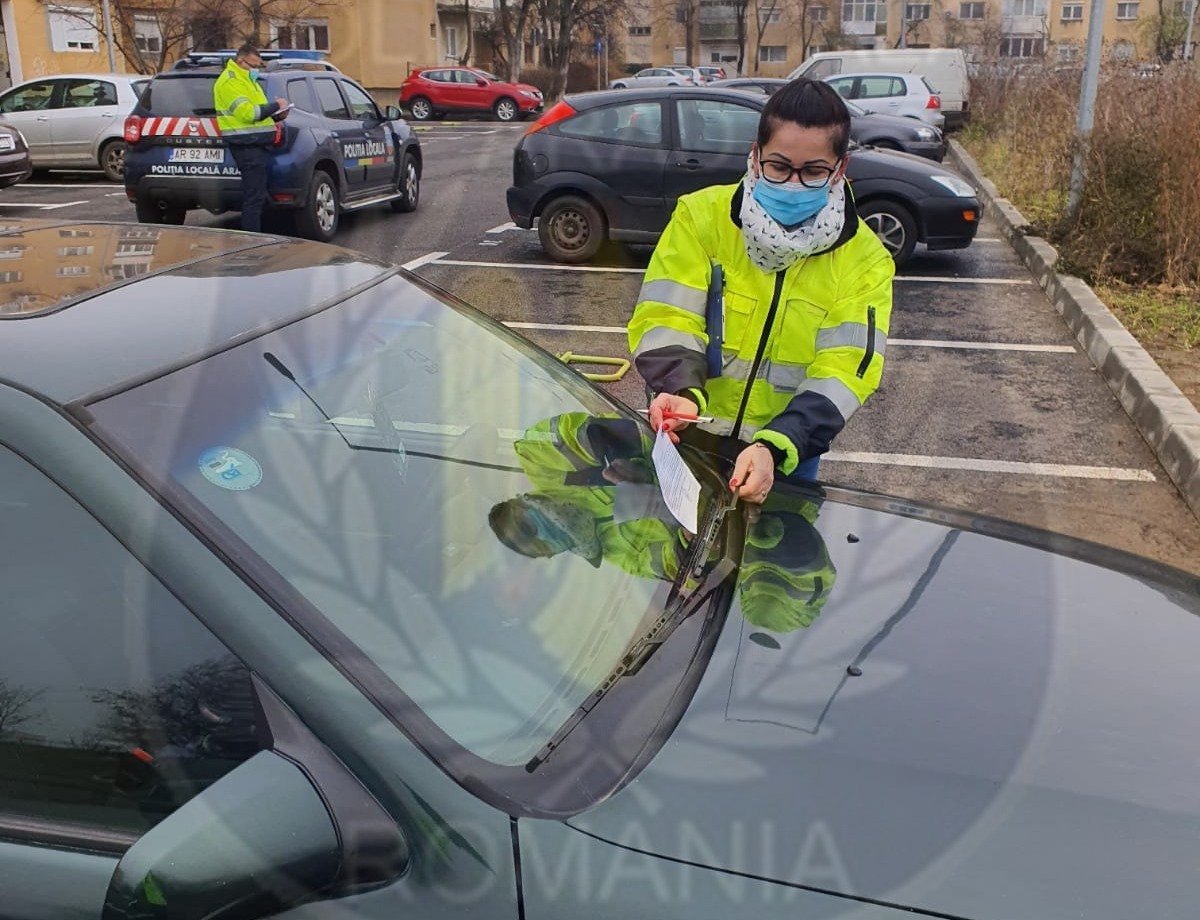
(970, 727)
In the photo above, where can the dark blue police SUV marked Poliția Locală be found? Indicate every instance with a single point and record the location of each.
(337, 152)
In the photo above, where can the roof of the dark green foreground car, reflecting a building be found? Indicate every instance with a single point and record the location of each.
(152, 298)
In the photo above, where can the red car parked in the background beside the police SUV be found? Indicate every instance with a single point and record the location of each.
(434, 92)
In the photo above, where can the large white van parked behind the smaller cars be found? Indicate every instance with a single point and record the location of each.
(946, 69)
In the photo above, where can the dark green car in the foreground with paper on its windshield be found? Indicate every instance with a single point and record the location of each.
(277, 644)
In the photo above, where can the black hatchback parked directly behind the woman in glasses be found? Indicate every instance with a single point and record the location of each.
(610, 166)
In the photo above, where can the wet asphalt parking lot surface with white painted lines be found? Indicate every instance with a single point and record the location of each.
(988, 405)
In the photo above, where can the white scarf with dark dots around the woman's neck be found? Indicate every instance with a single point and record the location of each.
(773, 248)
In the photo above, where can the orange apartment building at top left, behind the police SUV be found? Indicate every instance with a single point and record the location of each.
(375, 41)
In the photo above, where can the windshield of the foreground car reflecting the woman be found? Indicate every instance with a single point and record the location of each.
(475, 520)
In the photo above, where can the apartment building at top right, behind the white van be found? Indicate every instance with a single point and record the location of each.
(781, 34)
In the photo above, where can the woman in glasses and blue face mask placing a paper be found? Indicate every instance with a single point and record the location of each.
(803, 314)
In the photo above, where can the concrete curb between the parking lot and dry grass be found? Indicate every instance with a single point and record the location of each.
(1167, 419)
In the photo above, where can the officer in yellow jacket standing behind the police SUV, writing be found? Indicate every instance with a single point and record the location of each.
(248, 124)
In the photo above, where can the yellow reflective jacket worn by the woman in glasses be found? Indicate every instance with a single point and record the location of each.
(808, 370)
